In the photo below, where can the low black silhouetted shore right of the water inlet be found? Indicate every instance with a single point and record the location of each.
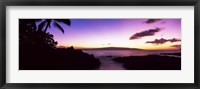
(150, 62)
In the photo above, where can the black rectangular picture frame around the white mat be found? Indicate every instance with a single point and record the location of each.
(4, 3)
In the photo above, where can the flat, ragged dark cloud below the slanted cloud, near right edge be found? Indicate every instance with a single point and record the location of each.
(162, 41)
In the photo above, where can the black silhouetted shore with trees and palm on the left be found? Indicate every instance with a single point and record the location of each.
(37, 48)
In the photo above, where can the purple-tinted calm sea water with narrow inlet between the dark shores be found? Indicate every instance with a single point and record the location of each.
(105, 57)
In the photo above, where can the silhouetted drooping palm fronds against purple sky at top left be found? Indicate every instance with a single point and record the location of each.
(47, 24)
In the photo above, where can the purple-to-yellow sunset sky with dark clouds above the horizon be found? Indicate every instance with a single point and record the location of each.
(149, 34)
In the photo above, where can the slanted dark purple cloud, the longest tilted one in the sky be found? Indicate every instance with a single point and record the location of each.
(149, 32)
